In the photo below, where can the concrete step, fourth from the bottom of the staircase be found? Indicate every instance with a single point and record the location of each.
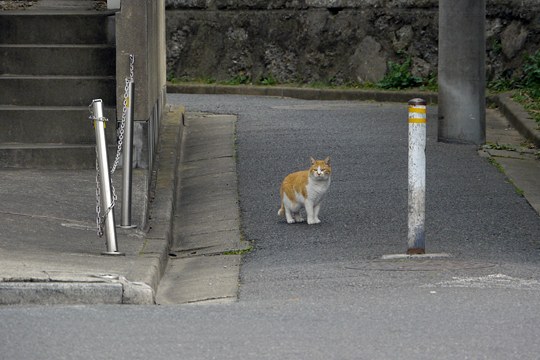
(29, 59)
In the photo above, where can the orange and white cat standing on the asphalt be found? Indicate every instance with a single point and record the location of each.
(305, 189)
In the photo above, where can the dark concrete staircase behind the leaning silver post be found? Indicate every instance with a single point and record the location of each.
(53, 62)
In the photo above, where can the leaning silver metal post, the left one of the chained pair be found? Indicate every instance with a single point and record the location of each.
(105, 180)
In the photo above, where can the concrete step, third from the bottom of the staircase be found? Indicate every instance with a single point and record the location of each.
(57, 90)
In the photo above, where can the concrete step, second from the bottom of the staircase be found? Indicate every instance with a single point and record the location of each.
(63, 125)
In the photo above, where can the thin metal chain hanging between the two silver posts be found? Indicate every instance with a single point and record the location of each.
(100, 220)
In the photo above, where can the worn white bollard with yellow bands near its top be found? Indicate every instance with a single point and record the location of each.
(417, 176)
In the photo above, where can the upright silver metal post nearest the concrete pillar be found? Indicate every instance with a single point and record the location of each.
(127, 160)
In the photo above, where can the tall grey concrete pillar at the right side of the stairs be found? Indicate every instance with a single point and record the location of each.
(140, 27)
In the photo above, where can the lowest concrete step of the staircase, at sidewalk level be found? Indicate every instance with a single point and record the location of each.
(51, 156)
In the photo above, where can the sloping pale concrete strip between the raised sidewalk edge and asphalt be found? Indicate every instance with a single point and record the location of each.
(206, 253)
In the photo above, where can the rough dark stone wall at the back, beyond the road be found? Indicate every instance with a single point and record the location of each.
(330, 41)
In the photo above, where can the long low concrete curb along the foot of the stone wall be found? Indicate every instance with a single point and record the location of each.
(513, 111)
